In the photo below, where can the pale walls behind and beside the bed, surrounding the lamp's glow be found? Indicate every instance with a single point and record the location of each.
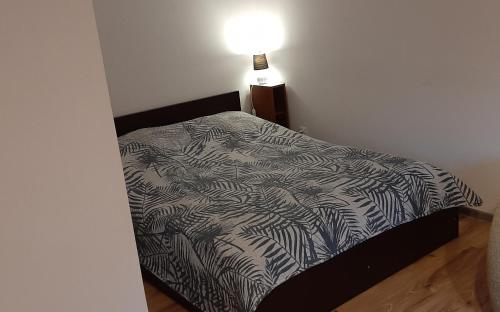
(418, 78)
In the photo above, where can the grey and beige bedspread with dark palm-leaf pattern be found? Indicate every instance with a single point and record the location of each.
(227, 207)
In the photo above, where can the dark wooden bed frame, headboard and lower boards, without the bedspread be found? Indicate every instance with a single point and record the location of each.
(328, 285)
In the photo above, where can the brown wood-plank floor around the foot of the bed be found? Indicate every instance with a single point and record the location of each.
(452, 278)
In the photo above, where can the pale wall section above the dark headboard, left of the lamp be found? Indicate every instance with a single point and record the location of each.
(159, 52)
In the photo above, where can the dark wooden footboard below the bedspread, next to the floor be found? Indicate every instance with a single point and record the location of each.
(328, 285)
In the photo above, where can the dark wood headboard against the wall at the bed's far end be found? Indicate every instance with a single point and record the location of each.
(178, 112)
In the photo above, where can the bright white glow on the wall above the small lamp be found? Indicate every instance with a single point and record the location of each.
(254, 33)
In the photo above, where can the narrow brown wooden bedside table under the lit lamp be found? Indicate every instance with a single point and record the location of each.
(269, 102)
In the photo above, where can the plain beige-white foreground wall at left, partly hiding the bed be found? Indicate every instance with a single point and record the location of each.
(66, 239)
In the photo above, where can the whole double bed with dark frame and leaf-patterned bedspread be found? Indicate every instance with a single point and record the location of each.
(233, 213)
